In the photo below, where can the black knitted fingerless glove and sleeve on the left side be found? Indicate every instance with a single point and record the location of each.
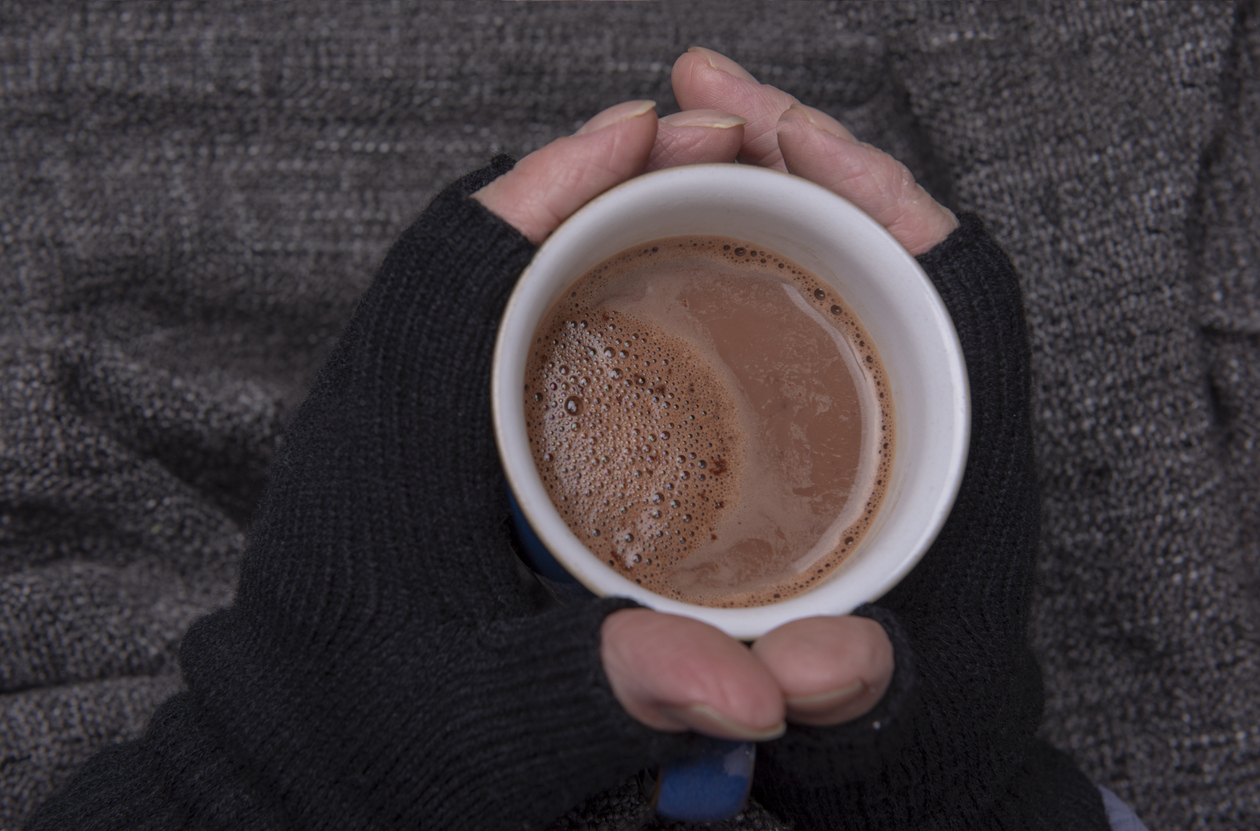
(381, 667)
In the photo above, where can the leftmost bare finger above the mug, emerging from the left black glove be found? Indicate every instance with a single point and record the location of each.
(550, 184)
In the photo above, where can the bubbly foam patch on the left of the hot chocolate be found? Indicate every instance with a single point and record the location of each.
(634, 439)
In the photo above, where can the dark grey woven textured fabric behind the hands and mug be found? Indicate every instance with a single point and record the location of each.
(195, 195)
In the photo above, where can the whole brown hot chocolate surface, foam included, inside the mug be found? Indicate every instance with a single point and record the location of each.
(711, 420)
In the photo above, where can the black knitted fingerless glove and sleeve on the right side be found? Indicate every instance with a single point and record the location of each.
(952, 743)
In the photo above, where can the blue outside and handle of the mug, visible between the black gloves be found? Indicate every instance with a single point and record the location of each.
(713, 785)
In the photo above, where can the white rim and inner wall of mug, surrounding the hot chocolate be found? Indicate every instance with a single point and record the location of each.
(878, 279)
